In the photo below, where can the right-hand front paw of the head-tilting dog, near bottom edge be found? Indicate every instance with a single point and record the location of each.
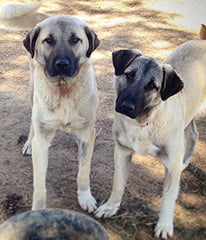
(164, 230)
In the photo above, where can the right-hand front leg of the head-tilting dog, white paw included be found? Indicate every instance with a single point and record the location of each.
(164, 227)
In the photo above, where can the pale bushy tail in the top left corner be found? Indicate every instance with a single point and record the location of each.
(21, 15)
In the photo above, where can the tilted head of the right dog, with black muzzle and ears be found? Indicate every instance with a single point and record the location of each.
(142, 83)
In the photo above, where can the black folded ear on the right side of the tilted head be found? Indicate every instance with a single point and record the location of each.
(171, 83)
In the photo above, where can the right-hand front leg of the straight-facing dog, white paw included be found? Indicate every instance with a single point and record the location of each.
(85, 149)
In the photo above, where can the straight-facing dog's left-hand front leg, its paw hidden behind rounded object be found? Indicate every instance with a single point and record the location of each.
(40, 145)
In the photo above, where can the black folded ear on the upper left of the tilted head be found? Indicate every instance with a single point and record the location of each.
(122, 59)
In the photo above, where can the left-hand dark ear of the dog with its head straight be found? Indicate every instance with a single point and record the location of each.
(30, 40)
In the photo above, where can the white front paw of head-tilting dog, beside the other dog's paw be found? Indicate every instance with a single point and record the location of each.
(107, 210)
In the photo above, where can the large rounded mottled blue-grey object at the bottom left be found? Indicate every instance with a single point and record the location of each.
(52, 224)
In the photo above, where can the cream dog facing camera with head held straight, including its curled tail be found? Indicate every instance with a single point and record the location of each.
(63, 92)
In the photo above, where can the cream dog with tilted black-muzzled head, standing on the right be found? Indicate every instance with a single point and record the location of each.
(155, 114)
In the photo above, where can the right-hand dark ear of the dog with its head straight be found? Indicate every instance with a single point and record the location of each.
(93, 41)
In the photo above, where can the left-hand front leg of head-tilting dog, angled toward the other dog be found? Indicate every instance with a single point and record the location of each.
(122, 157)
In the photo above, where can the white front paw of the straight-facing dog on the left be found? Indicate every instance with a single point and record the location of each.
(87, 201)
